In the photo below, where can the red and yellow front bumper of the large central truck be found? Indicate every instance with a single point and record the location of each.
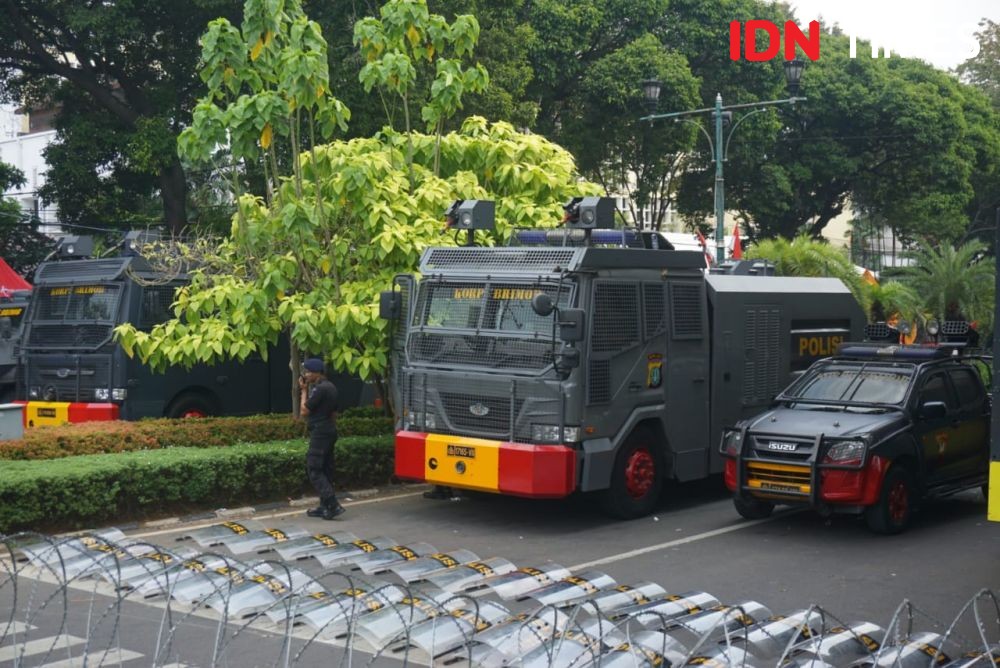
(518, 469)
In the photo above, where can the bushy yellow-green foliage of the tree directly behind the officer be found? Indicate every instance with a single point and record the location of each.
(374, 226)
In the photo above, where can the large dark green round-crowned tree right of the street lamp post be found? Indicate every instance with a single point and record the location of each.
(895, 138)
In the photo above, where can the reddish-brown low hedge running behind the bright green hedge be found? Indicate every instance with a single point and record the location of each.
(89, 438)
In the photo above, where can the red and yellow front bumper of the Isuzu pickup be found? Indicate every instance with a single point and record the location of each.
(816, 486)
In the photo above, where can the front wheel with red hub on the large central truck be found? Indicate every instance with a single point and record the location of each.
(637, 478)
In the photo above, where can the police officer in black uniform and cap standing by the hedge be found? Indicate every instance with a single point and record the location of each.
(319, 407)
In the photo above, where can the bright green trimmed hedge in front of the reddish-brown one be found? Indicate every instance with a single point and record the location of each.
(93, 489)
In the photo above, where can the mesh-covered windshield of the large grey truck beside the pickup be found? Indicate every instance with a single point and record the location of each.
(484, 324)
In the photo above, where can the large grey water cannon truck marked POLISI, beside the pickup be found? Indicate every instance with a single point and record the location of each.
(589, 358)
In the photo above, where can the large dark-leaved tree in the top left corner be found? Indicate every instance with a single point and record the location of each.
(130, 61)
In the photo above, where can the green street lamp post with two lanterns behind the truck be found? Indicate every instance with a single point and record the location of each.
(721, 114)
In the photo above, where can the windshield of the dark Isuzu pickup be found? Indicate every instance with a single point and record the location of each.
(854, 384)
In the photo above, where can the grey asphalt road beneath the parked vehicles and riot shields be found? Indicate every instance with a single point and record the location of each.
(695, 541)
